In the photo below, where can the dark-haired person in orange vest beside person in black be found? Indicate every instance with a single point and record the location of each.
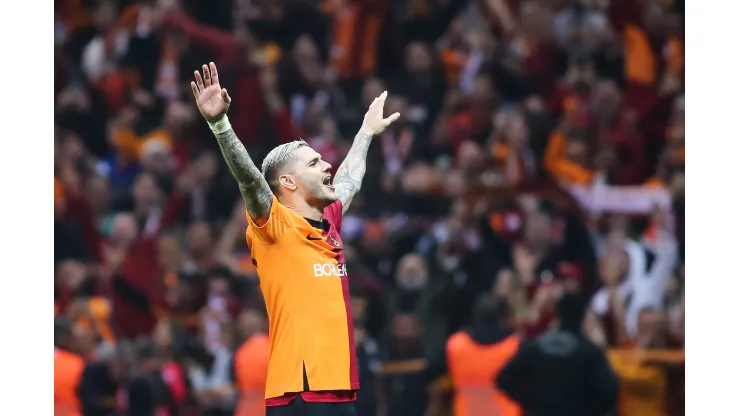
(474, 358)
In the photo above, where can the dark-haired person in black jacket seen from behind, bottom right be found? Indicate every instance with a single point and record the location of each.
(561, 372)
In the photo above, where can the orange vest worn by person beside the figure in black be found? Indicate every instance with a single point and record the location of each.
(473, 368)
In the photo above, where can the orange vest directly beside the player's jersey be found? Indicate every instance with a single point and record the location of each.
(250, 365)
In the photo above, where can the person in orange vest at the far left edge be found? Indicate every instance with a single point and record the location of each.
(68, 367)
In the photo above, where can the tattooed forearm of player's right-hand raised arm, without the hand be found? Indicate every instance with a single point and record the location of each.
(349, 175)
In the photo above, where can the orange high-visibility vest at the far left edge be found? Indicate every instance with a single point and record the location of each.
(68, 369)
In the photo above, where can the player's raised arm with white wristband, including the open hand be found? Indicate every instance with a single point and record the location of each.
(213, 103)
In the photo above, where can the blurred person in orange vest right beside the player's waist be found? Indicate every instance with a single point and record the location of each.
(250, 364)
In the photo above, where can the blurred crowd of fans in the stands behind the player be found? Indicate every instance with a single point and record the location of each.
(540, 150)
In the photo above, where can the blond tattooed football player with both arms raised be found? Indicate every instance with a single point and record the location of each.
(294, 210)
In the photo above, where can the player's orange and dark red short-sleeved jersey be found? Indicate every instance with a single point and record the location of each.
(303, 279)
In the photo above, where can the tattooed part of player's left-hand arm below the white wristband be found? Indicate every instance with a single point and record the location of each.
(252, 184)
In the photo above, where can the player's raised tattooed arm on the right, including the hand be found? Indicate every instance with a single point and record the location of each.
(348, 180)
